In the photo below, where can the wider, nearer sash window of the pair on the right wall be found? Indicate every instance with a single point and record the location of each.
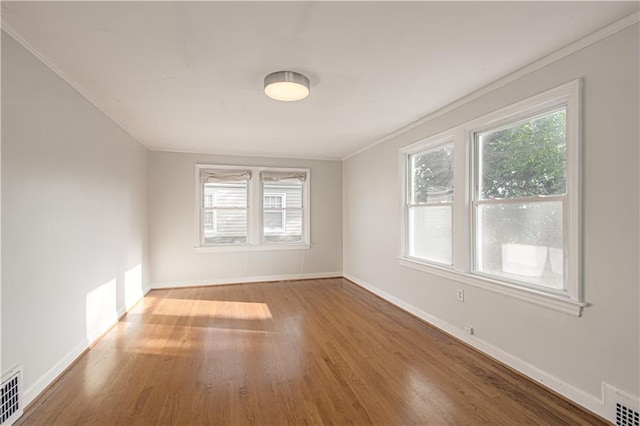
(518, 200)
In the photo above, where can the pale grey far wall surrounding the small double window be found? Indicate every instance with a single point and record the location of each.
(172, 226)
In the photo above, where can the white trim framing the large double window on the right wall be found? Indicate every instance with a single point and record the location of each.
(571, 301)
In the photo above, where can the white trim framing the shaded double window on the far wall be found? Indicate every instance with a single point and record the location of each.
(254, 213)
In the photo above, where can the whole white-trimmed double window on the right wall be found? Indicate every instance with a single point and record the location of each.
(513, 225)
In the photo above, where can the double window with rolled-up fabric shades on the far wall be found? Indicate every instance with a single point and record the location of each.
(251, 208)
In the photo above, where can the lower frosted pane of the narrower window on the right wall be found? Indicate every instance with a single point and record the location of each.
(430, 233)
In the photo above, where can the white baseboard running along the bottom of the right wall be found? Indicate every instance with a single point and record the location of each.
(577, 395)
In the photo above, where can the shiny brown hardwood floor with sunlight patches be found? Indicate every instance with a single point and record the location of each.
(300, 352)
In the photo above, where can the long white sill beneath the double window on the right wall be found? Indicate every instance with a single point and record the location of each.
(551, 301)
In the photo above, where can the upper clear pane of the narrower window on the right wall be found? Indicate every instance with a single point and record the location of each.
(431, 175)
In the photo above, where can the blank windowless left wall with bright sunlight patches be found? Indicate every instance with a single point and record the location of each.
(74, 220)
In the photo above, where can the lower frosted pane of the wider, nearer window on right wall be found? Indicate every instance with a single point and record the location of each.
(522, 241)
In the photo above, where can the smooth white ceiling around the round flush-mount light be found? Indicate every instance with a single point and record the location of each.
(188, 76)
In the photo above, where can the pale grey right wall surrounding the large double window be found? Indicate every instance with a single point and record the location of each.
(573, 355)
